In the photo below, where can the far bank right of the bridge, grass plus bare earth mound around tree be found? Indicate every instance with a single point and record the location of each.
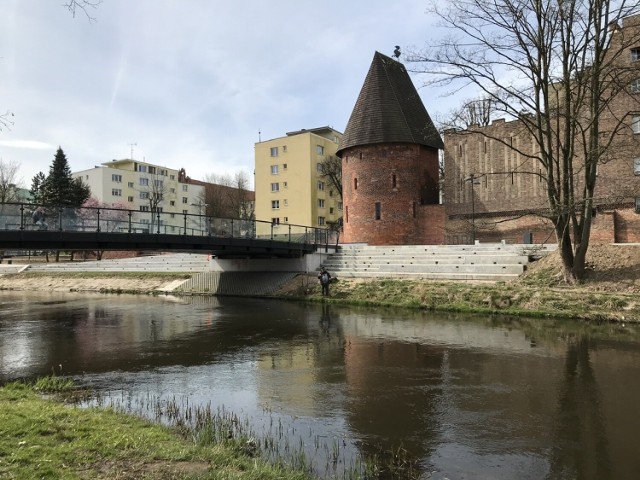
(609, 292)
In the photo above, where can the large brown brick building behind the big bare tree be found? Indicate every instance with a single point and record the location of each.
(492, 176)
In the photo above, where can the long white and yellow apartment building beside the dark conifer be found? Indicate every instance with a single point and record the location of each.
(147, 189)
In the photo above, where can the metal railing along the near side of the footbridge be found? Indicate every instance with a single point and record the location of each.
(31, 216)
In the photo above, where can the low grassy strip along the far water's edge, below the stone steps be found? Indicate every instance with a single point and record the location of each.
(529, 296)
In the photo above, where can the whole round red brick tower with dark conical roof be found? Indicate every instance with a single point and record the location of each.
(389, 157)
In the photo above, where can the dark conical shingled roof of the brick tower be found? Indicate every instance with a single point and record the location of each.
(389, 110)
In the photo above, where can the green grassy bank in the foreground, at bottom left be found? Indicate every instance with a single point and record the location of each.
(44, 438)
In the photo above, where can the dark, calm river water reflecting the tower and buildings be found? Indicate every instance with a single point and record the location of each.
(477, 397)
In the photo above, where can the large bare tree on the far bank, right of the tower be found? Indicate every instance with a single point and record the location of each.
(563, 62)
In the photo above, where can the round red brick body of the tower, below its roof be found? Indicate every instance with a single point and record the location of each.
(385, 187)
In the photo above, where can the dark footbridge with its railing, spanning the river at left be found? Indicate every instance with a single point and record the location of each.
(66, 228)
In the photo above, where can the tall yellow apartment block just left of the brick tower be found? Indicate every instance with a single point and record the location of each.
(290, 189)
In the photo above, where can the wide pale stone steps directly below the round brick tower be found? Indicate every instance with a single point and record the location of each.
(486, 262)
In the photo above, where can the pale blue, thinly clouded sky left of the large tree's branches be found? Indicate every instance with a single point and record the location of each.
(188, 84)
